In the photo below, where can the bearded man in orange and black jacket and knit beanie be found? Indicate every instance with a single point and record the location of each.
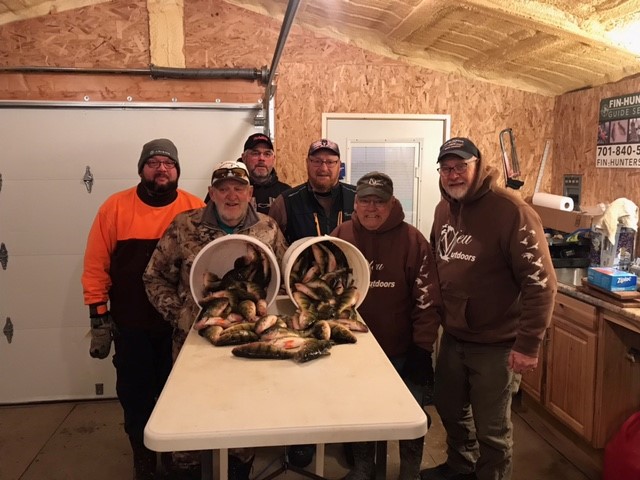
(122, 238)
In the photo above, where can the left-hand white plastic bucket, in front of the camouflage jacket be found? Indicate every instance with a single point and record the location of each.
(218, 257)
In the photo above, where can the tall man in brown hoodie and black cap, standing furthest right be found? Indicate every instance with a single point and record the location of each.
(498, 288)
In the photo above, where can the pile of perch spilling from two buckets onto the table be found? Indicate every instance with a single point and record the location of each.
(234, 308)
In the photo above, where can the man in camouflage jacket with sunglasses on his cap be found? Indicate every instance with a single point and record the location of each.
(167, 275)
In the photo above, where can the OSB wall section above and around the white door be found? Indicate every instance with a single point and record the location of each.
(477, 110)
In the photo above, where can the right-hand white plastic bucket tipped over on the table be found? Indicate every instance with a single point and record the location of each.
(357, 263)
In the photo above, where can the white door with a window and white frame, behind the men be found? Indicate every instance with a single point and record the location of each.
(423, 133)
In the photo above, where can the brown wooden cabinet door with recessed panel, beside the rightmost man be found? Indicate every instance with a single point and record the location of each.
(570, 386)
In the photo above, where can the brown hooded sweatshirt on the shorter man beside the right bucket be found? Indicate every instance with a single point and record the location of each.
(403, 305)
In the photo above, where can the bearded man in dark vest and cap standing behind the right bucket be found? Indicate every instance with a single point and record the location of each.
(319, 205)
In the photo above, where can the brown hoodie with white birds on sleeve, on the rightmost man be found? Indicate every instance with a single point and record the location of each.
(496, 277)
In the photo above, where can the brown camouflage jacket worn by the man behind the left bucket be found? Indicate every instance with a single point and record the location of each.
(166, 277)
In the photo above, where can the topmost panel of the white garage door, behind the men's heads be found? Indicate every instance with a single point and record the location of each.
(110, 141)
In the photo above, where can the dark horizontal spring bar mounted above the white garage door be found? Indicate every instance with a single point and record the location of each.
(260, 74)
